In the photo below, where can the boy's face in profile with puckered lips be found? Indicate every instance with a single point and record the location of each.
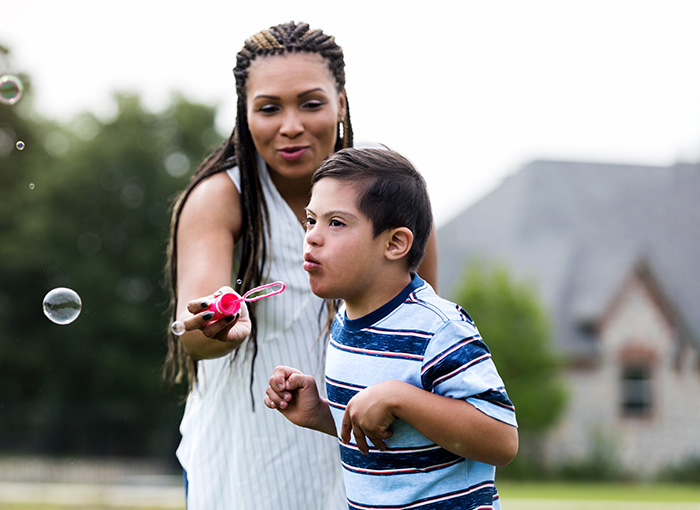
(341, 254)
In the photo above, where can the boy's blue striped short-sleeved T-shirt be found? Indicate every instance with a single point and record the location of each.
(433, 344)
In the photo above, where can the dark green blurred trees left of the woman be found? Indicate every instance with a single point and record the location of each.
(97, 221)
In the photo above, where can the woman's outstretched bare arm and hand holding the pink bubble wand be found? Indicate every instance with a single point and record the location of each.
(210, 221)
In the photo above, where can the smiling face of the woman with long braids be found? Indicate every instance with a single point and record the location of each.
(293, 111)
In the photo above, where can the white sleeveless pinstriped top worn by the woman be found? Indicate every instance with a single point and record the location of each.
(235, 457)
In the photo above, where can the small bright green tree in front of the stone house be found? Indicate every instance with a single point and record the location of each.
(514, 325)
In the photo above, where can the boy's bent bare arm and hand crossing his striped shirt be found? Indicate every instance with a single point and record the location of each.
(451, 423)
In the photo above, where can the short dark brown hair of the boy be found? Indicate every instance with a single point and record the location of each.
(391, 192)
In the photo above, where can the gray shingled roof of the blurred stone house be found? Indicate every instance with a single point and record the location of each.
(578, 230)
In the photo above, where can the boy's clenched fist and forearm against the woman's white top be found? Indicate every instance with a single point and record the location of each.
(295, 395)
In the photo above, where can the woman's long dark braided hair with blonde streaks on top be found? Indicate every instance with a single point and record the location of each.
(239, 150)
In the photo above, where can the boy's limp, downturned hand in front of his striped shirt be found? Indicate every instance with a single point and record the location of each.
(368, 415)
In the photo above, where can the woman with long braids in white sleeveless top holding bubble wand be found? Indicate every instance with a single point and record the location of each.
(239, 220)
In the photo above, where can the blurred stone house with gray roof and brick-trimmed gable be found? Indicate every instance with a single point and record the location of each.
(614, 251)
